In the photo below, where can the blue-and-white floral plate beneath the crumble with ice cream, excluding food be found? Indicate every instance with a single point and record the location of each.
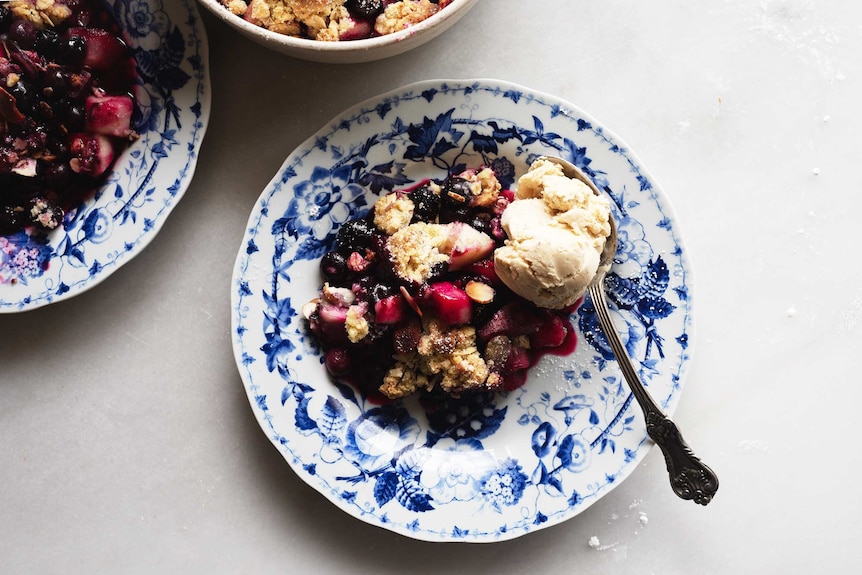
(488, 467)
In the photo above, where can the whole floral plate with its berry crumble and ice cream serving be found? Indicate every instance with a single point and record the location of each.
(369, 287)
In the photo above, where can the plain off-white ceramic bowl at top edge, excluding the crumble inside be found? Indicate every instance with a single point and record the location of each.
(348, 52)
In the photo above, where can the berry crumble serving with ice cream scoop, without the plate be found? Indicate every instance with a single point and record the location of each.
(458, 286)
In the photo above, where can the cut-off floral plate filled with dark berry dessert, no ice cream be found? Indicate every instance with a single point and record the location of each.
(103, 106)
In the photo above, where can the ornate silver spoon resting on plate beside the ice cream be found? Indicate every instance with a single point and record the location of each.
(690, 478)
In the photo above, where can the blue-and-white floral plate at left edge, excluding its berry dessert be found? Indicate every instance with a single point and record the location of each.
(173, 97)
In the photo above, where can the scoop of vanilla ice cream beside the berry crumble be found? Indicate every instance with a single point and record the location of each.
(556, 231)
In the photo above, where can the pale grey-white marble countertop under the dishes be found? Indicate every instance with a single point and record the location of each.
(128, 445)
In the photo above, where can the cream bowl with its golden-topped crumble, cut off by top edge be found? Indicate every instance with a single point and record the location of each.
(340, 31)
